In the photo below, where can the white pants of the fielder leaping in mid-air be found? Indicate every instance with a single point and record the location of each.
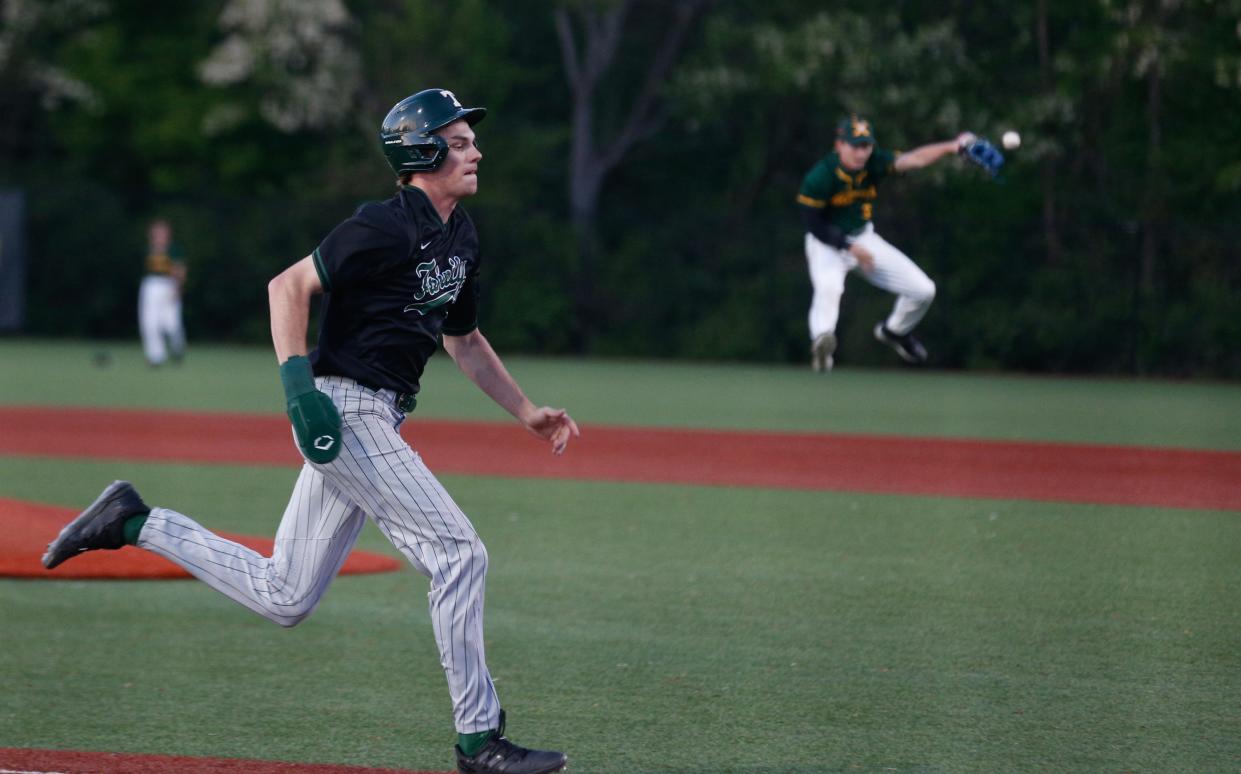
(894, 272)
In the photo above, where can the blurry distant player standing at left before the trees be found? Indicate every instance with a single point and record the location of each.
(159, 297)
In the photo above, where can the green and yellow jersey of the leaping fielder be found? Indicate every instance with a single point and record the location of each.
(846, 198)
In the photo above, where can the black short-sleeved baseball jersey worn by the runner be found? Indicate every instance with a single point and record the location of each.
(395, 277)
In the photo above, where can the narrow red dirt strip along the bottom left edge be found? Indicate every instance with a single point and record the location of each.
(71, 762)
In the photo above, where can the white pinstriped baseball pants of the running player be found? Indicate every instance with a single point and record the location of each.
(378, 476)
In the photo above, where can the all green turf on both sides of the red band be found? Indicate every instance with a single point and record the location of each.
(658, 628)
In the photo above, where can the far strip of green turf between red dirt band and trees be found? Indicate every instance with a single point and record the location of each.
(898, 401)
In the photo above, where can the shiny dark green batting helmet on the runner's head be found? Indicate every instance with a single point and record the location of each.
(409, 135)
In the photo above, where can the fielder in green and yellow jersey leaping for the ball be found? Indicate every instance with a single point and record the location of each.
(838, 202)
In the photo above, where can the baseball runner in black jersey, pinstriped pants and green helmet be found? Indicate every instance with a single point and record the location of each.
(398, 277)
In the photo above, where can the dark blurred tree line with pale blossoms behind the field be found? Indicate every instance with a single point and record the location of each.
(641, 162)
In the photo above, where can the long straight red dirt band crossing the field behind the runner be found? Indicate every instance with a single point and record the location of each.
(955, 468)
